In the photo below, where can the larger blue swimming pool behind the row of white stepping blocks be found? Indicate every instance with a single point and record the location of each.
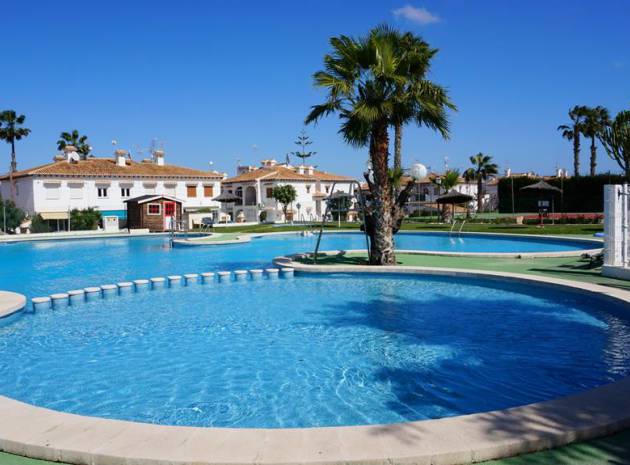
(41, 268)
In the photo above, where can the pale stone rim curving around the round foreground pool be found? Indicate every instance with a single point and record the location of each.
(46, 434)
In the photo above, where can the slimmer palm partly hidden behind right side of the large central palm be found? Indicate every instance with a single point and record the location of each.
(418, 99)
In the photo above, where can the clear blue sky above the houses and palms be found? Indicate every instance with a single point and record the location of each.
(225, 80)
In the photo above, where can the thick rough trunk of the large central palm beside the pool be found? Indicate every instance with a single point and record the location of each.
(382, 247)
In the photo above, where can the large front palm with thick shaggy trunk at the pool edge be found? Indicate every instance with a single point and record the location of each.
(363, 77)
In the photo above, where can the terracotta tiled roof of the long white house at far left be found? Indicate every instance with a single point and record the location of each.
(107, 167)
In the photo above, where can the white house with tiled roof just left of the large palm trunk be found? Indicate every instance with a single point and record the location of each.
(253, 187)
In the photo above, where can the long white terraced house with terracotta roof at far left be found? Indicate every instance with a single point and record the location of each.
(53, 189)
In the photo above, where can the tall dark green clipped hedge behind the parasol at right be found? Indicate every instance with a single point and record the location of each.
(580, 194)
